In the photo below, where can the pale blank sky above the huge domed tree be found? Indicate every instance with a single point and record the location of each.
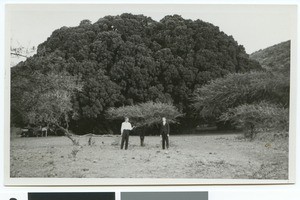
(253, 26)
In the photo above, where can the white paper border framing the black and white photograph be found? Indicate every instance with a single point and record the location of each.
(8, 181)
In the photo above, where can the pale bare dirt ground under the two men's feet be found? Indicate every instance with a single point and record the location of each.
(218, 156)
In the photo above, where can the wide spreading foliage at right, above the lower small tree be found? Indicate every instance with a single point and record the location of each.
(219, 95)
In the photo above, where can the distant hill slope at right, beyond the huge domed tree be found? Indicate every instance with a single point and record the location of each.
(276, 57)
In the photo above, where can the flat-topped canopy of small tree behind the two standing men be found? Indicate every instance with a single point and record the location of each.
(145, 114)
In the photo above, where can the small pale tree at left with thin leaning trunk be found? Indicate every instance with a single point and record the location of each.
(50, 101)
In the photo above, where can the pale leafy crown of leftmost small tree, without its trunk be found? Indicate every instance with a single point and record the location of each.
(54, 101)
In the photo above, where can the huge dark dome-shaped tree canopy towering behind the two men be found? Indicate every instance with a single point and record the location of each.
(130, 59)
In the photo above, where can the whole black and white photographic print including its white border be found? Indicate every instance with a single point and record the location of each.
(150, 94)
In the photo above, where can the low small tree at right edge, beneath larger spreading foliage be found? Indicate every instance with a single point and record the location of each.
(258, 117)
